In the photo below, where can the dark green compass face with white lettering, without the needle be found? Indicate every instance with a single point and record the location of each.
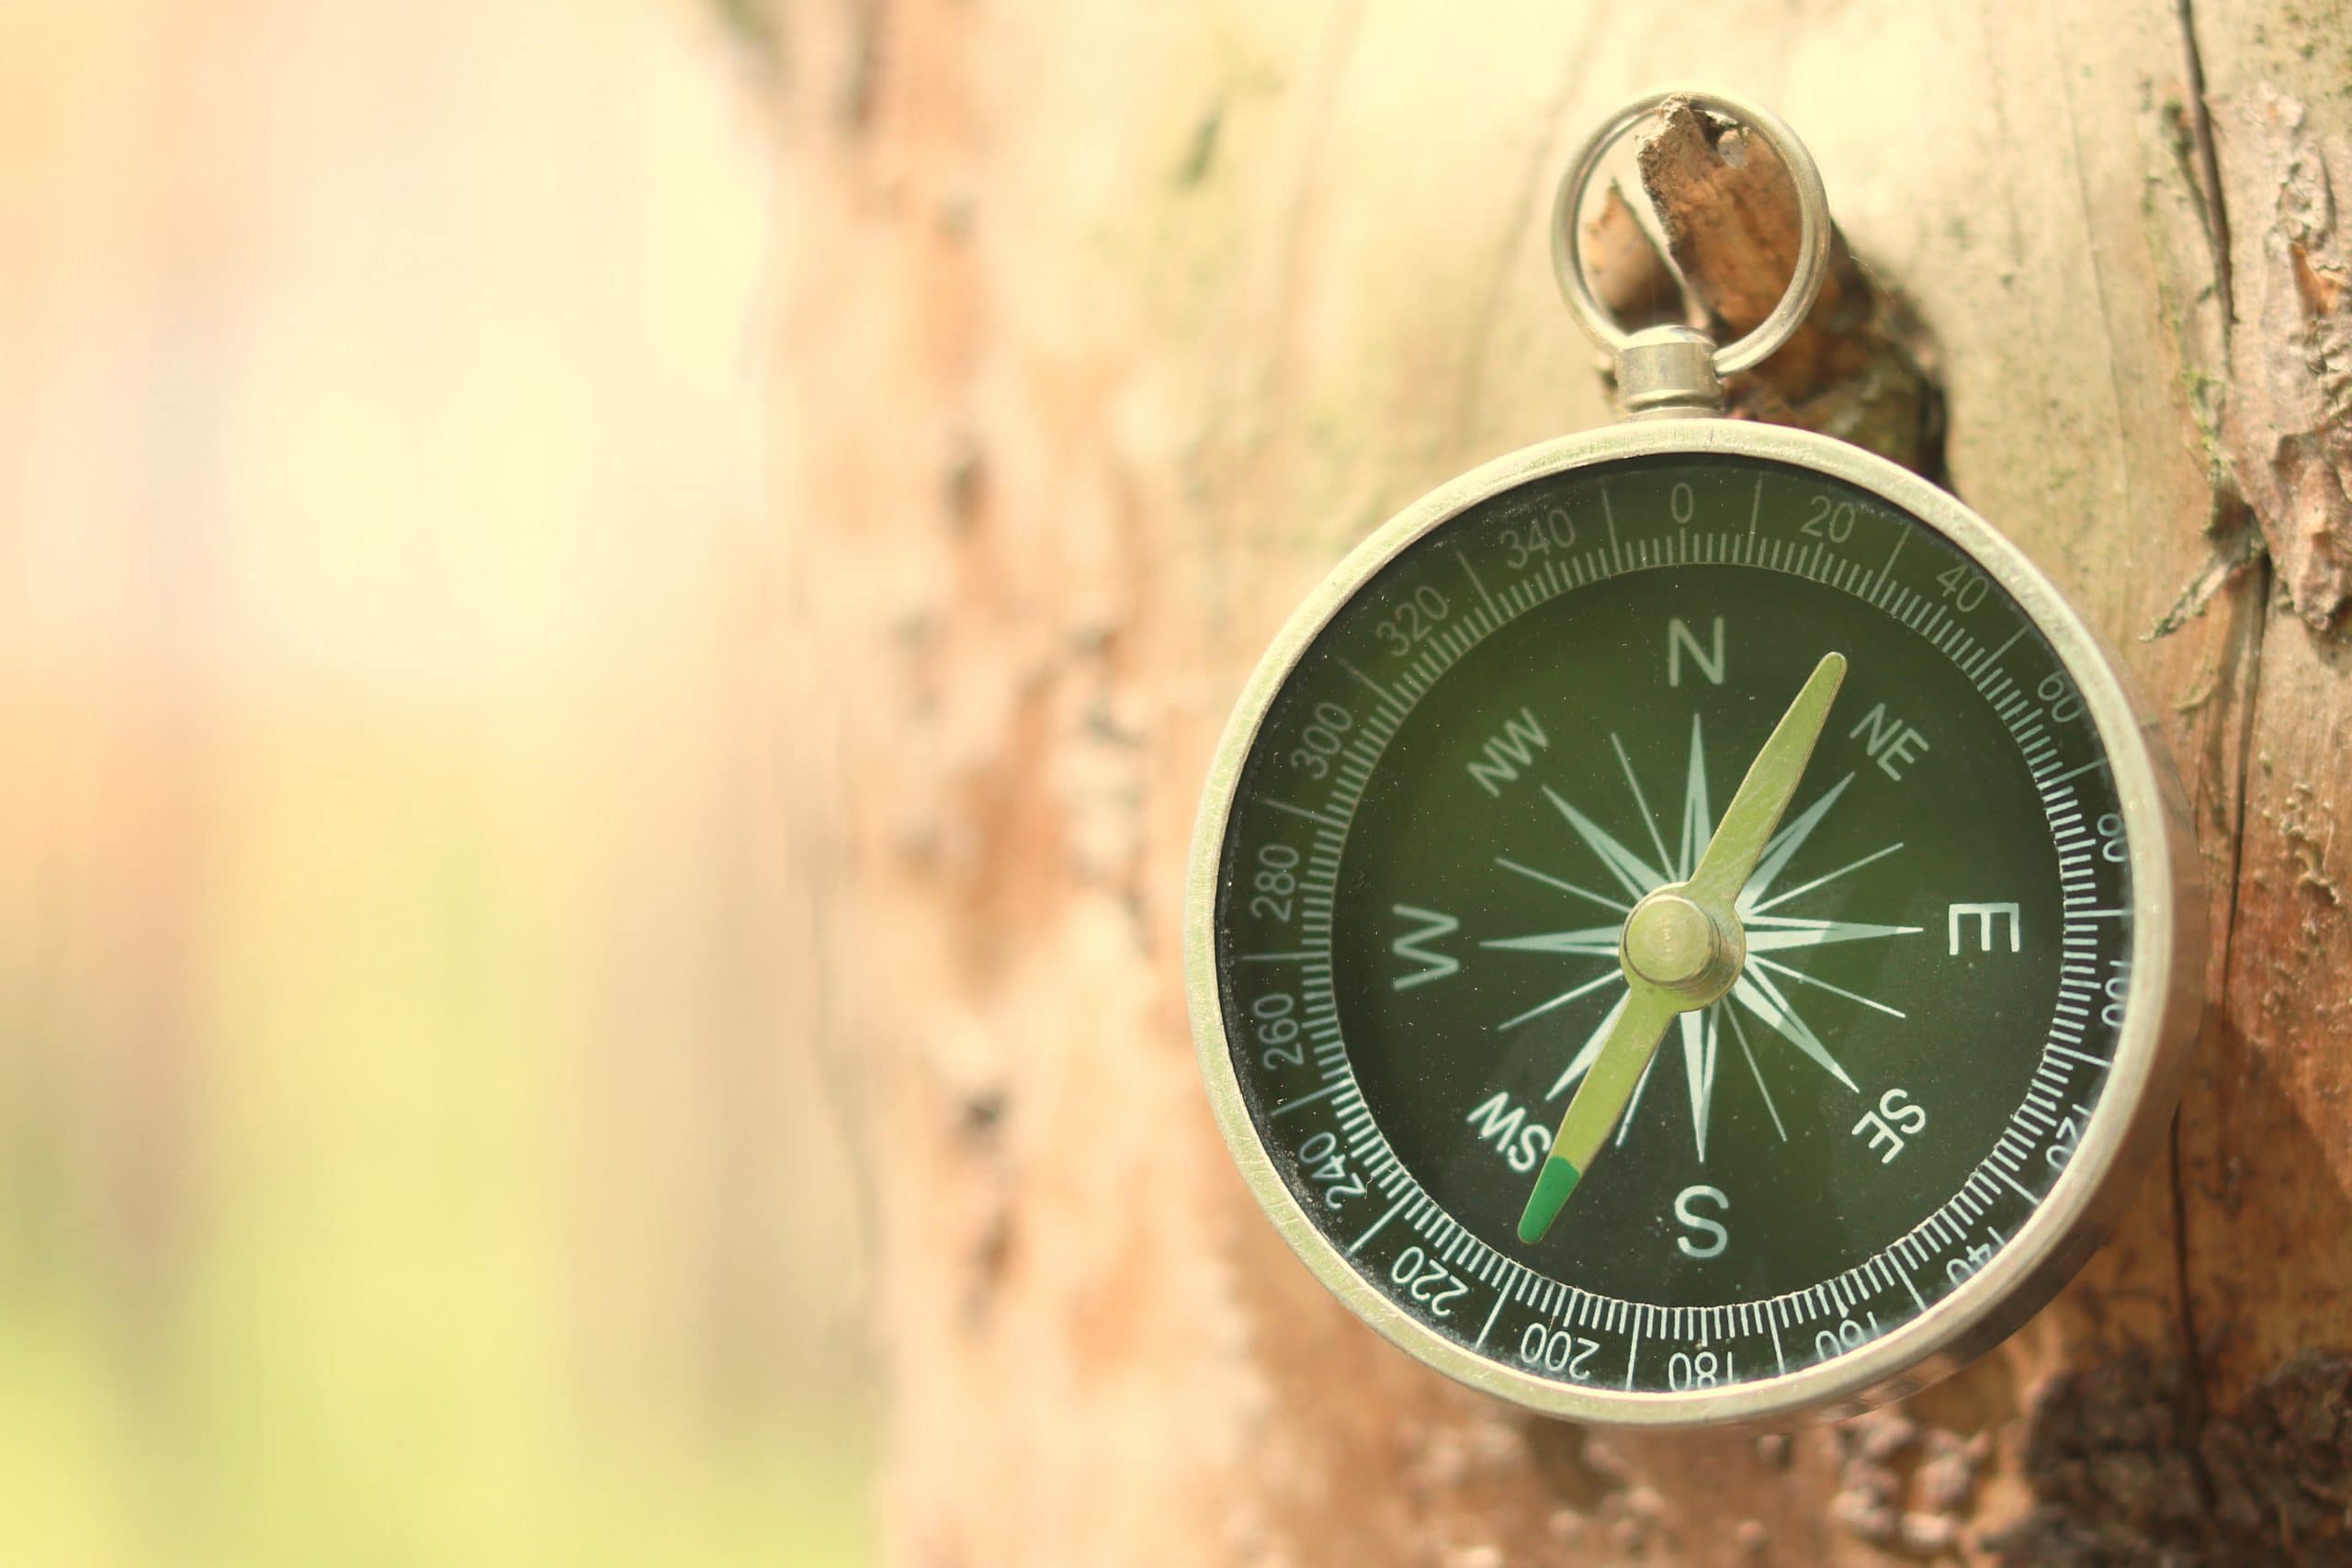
(1530, 721)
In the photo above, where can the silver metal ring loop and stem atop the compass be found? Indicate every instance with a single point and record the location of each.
(1683, 368)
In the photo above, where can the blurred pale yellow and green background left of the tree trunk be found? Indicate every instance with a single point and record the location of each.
(406, 1115)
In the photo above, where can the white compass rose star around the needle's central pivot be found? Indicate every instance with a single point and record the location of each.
(1765, 986)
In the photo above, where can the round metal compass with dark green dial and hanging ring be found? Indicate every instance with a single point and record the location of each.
(1685, 923)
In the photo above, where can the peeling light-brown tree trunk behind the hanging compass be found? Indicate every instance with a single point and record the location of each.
(1111, 328)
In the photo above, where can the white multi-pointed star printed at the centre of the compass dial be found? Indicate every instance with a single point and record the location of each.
(1598, 871)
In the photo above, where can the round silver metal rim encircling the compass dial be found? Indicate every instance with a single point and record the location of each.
(2160, 1010)
